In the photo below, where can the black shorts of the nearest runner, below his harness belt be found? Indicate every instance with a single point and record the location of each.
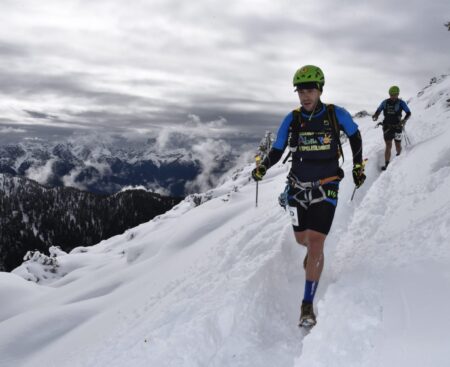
(314, 216)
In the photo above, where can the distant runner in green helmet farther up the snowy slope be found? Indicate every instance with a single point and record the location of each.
(392, 124)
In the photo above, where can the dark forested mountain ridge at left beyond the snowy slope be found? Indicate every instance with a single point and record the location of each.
(35, 217)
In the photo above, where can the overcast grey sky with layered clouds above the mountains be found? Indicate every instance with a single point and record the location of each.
(142, 66)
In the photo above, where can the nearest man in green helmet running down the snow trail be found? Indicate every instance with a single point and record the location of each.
(310, 132)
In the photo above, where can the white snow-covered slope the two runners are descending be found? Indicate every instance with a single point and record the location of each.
(221, 284)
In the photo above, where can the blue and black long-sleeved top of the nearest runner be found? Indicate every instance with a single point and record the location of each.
(314, 142)
